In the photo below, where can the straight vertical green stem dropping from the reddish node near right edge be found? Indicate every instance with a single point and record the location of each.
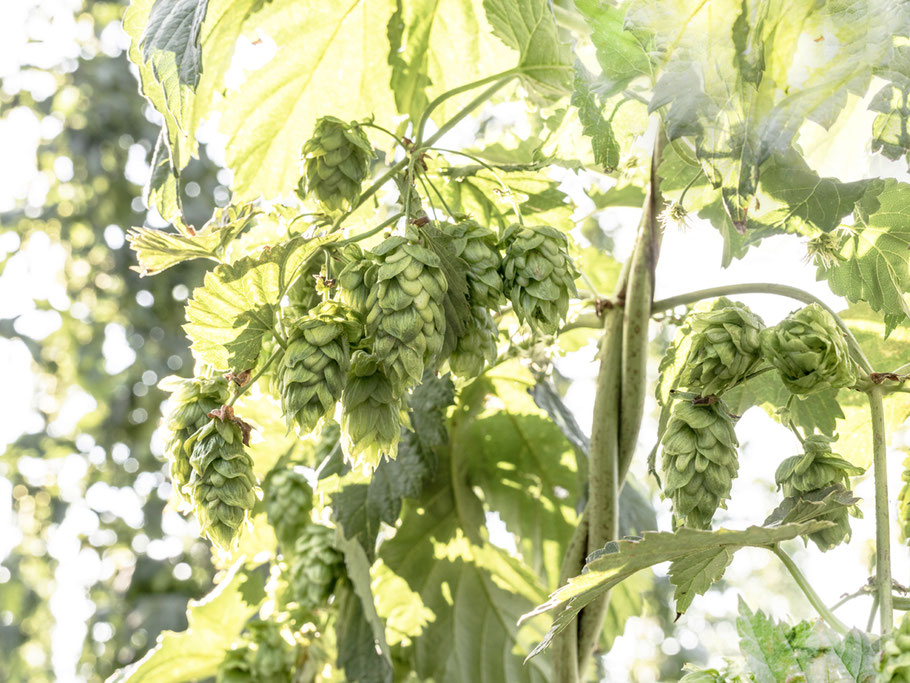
(882, 529)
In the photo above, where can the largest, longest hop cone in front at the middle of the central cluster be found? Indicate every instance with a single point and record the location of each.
(406, 310)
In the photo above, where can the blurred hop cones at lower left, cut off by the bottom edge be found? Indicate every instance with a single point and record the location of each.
(262, 655)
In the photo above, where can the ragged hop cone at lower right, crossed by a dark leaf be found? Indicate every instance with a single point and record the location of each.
(819, 468)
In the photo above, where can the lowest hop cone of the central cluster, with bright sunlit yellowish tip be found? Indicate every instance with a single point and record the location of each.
(371, 412)
